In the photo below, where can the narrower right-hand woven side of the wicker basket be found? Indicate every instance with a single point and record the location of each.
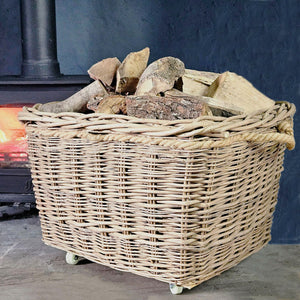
(235, 208)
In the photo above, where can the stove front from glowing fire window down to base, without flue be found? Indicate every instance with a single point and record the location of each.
(15, 181)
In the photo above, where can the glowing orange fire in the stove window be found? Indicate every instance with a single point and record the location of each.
(13, 144)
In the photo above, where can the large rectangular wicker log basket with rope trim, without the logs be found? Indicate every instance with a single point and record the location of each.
(178, 201)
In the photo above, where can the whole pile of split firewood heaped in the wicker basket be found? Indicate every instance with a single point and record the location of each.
(164, 89)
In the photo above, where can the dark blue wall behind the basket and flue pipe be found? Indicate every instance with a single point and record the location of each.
(256, 39)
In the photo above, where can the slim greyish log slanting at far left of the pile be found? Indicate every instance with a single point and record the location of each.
(77, 102)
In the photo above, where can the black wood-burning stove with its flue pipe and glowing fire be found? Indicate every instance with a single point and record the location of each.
(40, 81)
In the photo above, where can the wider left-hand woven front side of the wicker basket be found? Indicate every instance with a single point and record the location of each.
(124, 205)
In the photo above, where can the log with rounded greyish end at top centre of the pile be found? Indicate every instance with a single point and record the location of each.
(160, 76)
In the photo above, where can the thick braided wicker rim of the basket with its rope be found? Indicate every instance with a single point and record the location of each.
(274, 124)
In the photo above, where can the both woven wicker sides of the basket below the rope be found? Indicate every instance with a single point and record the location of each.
(177, 216)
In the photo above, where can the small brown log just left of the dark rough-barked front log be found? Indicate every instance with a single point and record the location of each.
(112, 104)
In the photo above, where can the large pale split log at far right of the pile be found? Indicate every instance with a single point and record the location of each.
(236, 91)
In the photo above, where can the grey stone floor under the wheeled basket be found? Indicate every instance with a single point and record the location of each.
(30, 270)
